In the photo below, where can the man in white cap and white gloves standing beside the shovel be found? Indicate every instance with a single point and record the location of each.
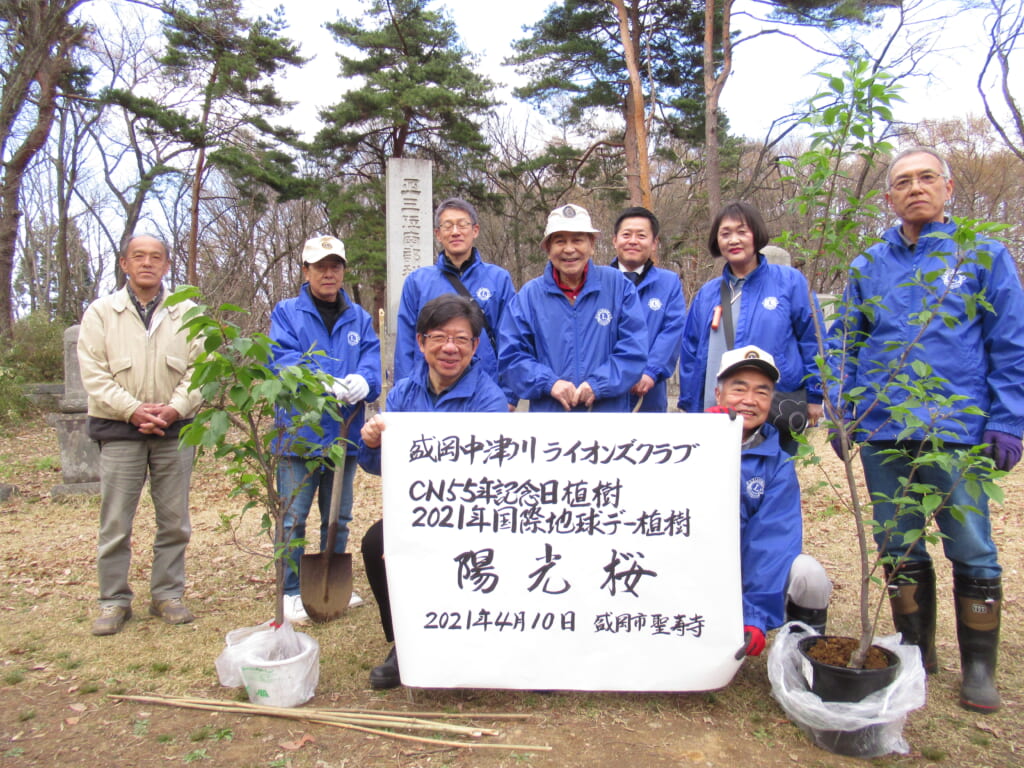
(325, 331)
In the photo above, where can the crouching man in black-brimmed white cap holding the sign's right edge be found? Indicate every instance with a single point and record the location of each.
(781, 584)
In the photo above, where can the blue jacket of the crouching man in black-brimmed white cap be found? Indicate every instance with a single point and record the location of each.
(771, 530)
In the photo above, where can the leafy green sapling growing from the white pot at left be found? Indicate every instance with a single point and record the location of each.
(245, 394)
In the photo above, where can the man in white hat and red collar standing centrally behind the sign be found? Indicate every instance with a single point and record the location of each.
(574, 339)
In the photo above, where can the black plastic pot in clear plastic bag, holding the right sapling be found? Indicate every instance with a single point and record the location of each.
(844, 685)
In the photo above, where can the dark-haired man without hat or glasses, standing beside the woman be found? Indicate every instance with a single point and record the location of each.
(636, 243)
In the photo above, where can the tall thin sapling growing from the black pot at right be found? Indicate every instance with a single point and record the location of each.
(849, 119)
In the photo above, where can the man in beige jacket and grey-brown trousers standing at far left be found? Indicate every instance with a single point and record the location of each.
(137, 367)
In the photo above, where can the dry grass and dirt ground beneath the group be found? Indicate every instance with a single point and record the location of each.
(59, 686)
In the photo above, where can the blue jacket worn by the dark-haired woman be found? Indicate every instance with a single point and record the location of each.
(776, 314)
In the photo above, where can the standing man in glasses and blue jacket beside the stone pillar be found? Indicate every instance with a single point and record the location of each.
(460, 270)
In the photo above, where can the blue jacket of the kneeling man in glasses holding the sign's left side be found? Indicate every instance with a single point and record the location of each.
(475, 393)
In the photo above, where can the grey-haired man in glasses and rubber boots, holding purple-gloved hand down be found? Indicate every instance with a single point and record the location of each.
(975, 345)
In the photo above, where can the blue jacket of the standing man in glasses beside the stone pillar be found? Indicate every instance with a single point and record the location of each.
(491, 287)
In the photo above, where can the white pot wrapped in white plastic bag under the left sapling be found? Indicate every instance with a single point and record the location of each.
(279, 668)
